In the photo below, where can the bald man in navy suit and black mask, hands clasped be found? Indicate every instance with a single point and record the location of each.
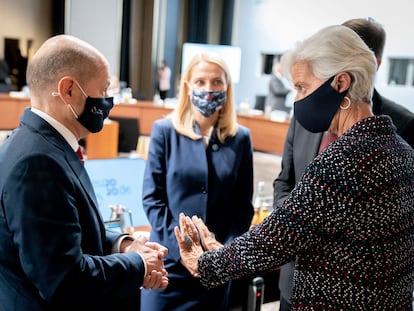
(55, 253)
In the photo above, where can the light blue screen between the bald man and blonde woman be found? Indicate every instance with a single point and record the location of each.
(119, 182)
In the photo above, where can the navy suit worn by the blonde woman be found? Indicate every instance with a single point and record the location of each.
(216, 184)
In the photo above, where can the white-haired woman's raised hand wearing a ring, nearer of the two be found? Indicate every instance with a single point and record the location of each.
(189, 243)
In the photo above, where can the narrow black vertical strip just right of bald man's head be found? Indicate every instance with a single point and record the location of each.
(125, 42)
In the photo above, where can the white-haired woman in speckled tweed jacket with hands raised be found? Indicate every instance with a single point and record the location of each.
(349, 221)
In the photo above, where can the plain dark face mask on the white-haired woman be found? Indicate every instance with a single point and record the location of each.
(316, 111)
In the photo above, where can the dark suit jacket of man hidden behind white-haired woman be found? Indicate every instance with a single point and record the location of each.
(302, 146)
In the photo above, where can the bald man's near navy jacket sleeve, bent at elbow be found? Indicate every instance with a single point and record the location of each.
(56, 233)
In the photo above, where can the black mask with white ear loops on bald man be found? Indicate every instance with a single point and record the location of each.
(95, 112)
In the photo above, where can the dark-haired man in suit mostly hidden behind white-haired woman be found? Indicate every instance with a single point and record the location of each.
(302, 146)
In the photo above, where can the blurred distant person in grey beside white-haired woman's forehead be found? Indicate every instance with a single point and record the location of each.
(278, 90)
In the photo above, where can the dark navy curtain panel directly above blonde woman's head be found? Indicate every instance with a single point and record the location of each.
(198, 21)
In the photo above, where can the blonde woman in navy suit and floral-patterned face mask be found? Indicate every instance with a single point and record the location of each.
(200, 161)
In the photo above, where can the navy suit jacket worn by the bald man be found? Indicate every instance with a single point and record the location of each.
(52, 239)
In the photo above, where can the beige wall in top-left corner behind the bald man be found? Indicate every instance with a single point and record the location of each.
(25, 19)
